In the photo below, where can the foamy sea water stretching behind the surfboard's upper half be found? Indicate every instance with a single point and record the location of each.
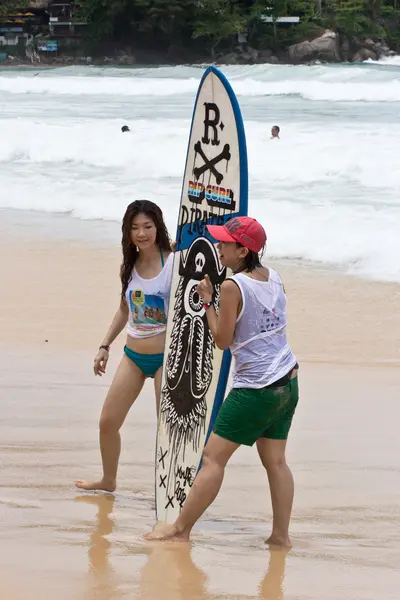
(328, 191)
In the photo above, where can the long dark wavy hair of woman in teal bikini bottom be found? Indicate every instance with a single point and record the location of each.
(129, 250)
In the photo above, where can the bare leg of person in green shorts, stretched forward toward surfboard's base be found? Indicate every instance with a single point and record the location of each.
(203, 492)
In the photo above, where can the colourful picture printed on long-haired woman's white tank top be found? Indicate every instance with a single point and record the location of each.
(147, 309)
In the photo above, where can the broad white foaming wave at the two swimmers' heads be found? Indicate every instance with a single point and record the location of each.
(307, 154)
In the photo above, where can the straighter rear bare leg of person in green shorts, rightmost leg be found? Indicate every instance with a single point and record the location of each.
(272, 455)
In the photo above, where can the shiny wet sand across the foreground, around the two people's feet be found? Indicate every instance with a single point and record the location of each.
(346, 514)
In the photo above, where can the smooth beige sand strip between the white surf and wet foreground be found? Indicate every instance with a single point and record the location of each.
(59, 264)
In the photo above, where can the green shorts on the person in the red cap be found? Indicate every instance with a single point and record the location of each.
(249, 414)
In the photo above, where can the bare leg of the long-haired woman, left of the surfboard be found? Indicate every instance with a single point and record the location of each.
(125, 388)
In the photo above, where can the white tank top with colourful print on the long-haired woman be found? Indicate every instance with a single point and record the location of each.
(148, 300)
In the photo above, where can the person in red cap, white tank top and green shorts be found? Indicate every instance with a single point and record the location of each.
(261, 404)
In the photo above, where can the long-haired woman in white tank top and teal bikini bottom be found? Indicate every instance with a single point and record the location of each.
(146, 274)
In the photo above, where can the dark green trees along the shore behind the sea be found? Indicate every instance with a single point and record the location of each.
(188, 23)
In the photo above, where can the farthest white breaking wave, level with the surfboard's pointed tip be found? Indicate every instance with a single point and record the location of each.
(351, 84)
